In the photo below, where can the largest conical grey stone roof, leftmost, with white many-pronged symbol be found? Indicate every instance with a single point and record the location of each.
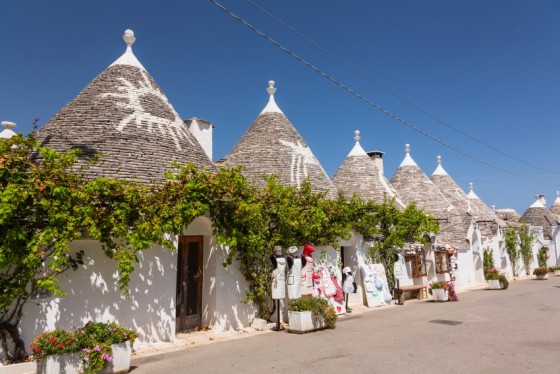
(124, 115)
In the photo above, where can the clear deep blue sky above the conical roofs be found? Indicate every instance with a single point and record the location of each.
(490, 69)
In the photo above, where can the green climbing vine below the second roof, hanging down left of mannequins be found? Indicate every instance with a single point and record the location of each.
(255, 221)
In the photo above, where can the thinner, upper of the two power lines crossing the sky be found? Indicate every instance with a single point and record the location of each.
(392, 93)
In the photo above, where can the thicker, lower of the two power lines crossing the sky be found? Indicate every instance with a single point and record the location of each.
(367, 101)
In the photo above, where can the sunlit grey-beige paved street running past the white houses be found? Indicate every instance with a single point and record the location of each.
(513, 331)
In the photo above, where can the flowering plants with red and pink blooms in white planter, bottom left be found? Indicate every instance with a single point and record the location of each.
(94, 348)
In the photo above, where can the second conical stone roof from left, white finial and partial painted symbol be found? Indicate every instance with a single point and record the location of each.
(272, 146)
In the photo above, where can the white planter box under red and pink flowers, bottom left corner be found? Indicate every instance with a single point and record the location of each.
(71, 363)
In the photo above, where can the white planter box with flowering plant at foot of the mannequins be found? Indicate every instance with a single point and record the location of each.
(310, 313)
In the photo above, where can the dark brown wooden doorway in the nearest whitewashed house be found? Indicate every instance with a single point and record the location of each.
(189, 282)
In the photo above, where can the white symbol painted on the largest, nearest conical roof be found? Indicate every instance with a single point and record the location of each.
(140, 116)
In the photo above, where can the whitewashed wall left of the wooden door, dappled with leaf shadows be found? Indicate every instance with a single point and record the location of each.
(92, 294)
